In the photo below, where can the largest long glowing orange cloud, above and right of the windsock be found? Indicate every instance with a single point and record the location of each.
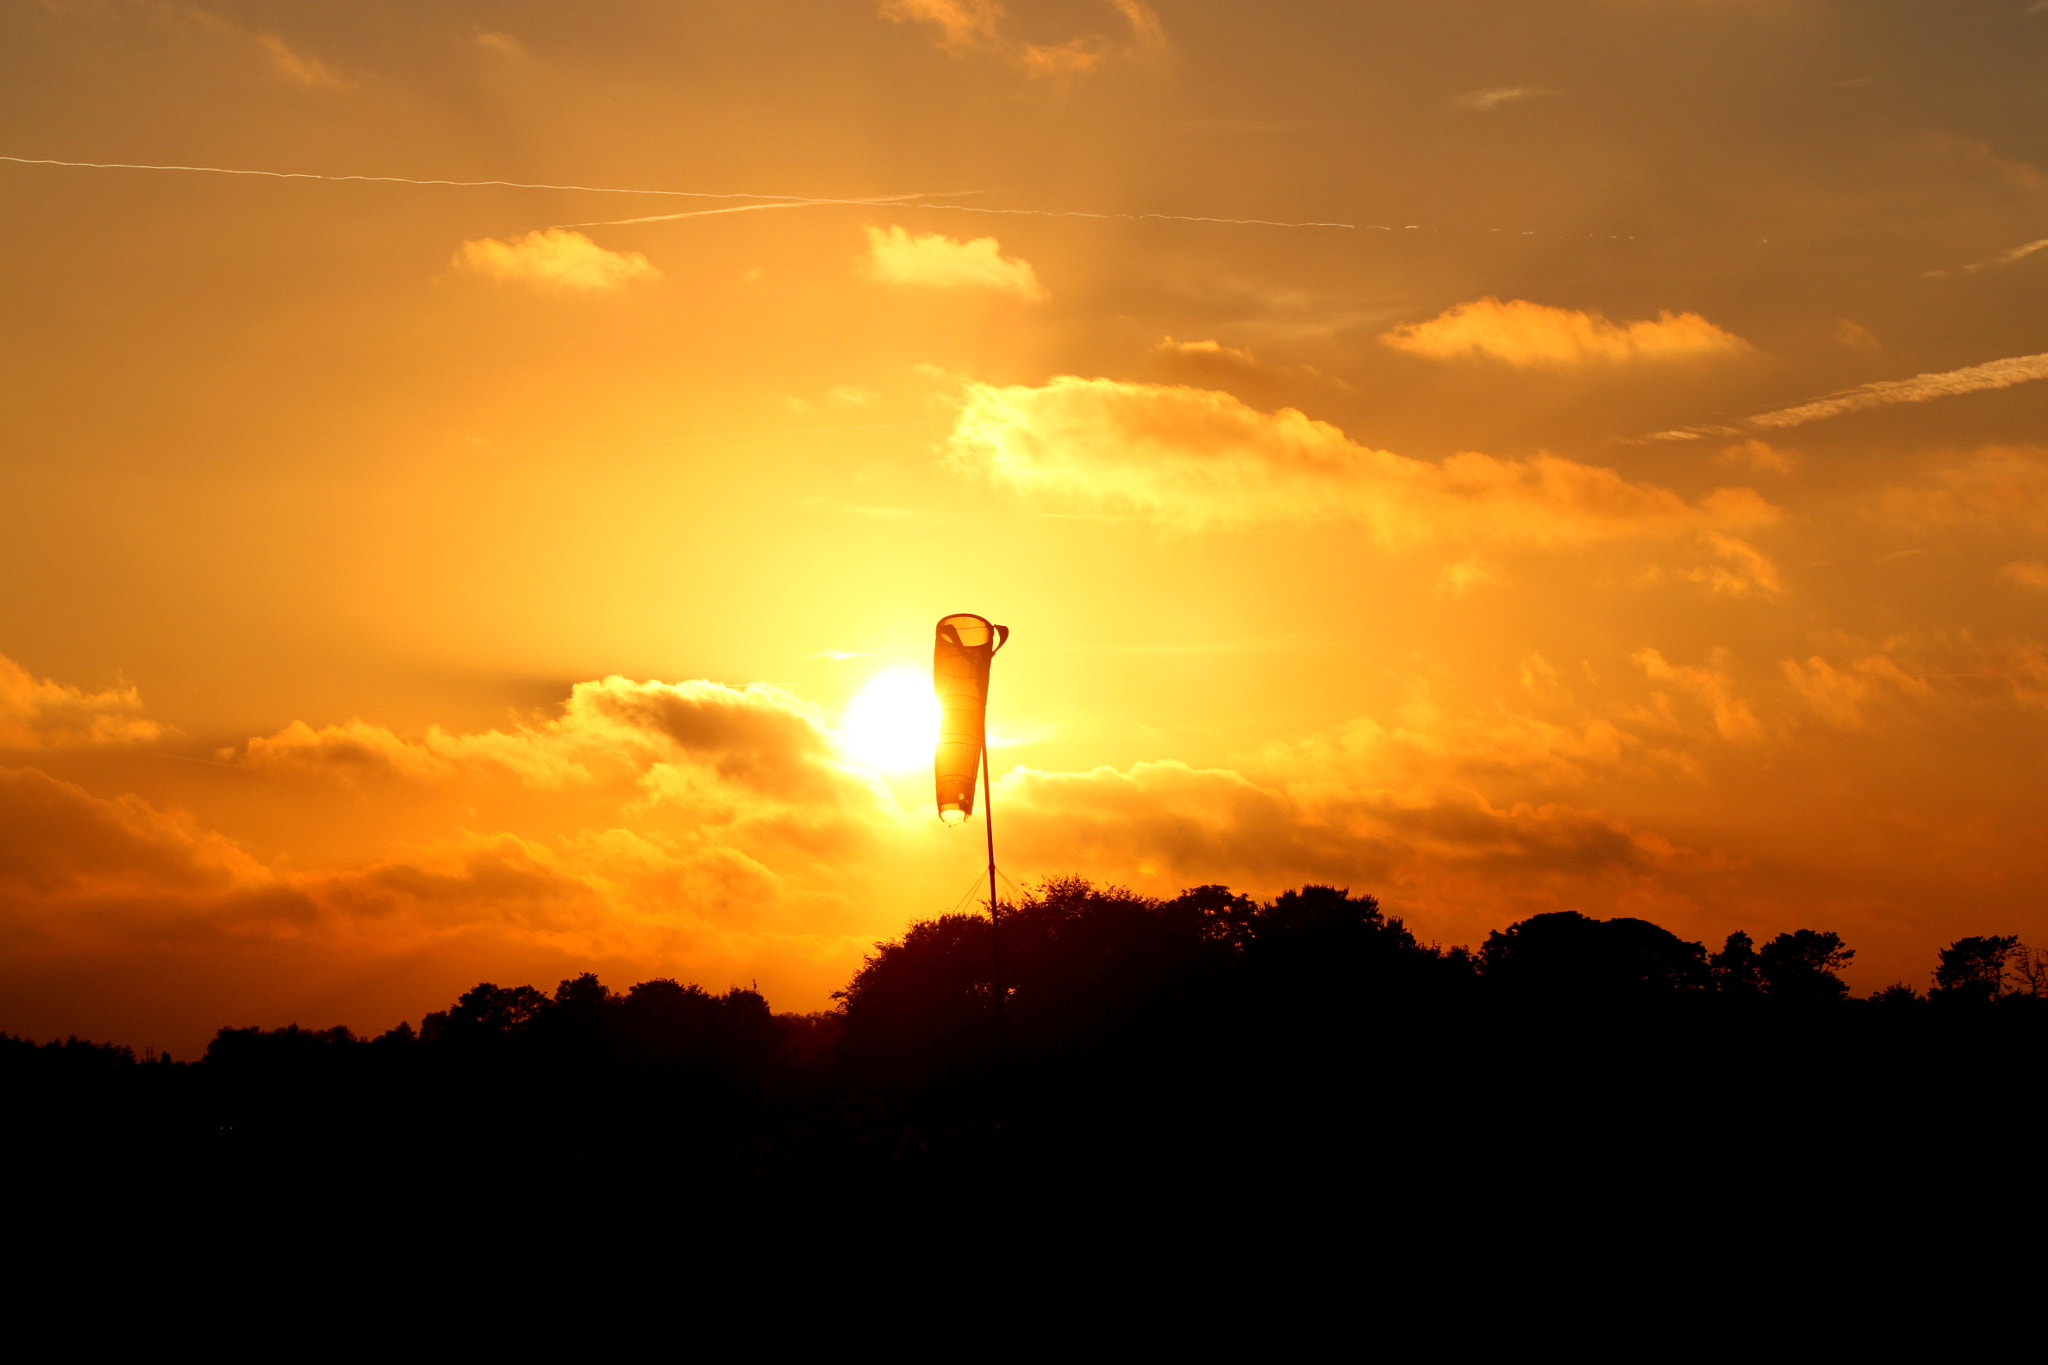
(1201, 457)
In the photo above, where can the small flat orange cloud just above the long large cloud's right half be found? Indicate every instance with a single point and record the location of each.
(1531, 335)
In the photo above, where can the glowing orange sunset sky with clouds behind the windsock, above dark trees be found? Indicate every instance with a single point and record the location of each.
(1496, 455)
